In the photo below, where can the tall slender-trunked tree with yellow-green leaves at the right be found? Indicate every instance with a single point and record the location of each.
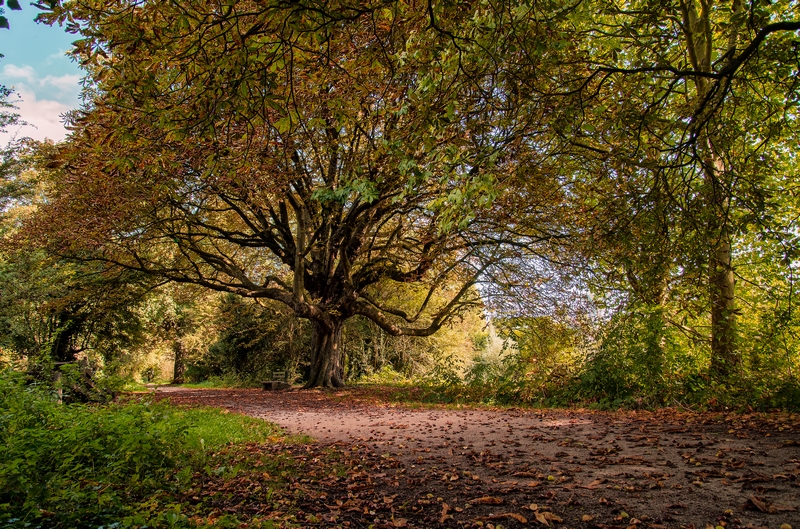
(675, 116)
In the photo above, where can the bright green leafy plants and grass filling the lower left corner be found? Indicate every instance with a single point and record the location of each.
(77, 465)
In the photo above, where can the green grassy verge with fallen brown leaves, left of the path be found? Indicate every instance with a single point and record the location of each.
(136, 464)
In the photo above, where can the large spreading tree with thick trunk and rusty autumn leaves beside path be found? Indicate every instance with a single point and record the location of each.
(309, 154)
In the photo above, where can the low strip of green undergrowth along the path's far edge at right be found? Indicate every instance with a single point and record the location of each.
(594, 386)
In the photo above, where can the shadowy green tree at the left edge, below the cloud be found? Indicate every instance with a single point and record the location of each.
(52, 309)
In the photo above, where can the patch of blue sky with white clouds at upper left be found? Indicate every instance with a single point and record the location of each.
(47, 82)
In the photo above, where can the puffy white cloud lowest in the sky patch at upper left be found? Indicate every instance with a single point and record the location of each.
(43, 118)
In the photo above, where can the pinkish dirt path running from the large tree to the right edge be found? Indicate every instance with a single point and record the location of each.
(680, 468)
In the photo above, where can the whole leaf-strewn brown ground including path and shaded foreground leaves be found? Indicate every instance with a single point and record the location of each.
(379, 464)
